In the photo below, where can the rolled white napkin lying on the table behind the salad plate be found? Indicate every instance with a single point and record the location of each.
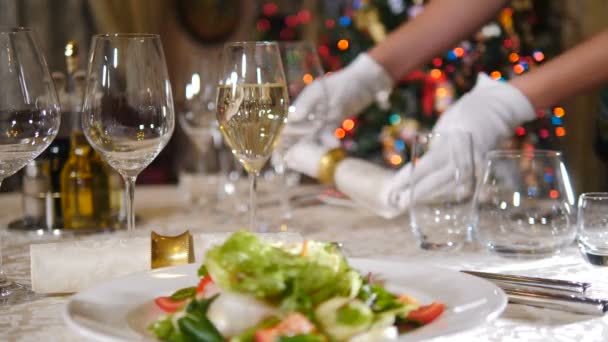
(71, 266)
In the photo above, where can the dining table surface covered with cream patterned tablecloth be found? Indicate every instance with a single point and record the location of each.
(315, 215)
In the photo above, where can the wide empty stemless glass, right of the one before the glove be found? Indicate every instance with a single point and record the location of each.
(524, 204)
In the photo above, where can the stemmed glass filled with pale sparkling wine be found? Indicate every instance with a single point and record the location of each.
(252, 104)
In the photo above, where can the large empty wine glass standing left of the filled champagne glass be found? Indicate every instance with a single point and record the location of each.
(128, 107)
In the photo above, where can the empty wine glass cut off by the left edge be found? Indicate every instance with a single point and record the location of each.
(29, 111)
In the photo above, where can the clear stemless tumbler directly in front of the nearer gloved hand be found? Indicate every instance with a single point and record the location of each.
(442, 185)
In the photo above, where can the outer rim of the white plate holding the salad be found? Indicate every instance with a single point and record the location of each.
(86, 331)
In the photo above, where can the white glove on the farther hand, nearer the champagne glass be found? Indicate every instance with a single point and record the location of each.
(348, 91)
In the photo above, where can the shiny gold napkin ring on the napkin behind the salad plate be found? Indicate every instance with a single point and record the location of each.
(171, 250)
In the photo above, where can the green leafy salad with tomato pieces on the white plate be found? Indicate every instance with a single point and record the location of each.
(252, 290)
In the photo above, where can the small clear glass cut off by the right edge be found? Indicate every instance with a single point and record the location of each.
(592, 224)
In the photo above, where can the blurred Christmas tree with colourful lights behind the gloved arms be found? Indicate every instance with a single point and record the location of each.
(519, 39)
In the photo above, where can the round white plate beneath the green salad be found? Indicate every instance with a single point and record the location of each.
(120, 309)
